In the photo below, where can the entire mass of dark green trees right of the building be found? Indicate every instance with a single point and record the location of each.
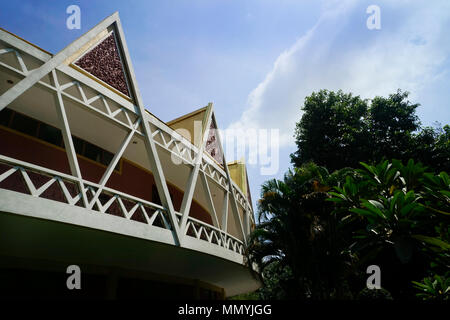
(319, 231)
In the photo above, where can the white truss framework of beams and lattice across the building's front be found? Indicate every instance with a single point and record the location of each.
(46, 72)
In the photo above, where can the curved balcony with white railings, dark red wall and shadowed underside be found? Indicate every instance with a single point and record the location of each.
(142, 198)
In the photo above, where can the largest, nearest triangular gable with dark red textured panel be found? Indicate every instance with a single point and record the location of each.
(104, 59)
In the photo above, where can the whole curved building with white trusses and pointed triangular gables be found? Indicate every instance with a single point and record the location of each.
(89, 177)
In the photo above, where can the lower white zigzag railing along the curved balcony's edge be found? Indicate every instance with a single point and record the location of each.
(110, 201)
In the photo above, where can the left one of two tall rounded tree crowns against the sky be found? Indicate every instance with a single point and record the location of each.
(332, 131)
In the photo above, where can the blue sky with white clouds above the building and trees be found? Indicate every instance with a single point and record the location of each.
(257, 60)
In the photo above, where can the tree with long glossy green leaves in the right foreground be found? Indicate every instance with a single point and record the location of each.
(403, 214)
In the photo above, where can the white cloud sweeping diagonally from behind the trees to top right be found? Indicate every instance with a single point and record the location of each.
(409, 51)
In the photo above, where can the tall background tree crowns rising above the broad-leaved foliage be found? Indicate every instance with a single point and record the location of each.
(338, 130)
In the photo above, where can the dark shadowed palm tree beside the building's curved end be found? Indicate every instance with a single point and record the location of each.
(298, 233)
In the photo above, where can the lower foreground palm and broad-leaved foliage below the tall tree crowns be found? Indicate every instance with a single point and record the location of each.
(321, 231)
